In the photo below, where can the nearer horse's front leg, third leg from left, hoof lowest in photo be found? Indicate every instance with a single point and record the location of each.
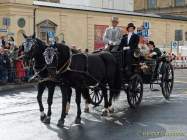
(64, 90)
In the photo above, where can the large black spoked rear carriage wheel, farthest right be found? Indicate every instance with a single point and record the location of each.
(167, 81)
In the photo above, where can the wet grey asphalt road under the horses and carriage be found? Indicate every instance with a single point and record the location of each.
(155, 119)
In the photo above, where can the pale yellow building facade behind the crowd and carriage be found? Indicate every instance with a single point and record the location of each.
(77, 26)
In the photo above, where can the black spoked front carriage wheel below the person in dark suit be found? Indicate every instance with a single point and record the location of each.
(135, 91)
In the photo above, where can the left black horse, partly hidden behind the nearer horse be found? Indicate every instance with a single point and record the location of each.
(41, 71)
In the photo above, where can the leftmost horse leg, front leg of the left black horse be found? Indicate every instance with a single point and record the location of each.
(41, 88)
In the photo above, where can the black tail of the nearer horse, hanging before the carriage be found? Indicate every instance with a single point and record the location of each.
(117, 83)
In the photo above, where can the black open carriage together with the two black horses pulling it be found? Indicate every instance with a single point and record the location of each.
(98, 72)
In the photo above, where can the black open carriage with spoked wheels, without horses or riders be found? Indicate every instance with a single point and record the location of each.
(145, 71)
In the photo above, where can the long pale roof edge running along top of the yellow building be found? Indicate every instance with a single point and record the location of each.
(105, 10)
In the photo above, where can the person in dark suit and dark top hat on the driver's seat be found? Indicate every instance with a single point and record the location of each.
(129, 43)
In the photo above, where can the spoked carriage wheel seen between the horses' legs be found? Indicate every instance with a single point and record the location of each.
(96, 96)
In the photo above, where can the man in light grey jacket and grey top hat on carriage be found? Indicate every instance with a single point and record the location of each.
(113, 35)
